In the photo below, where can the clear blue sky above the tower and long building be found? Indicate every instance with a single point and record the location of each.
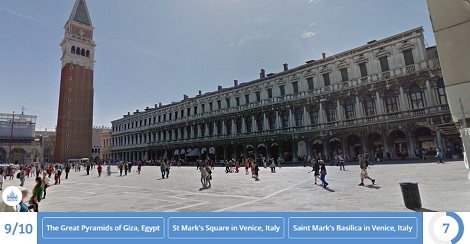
(152, 51)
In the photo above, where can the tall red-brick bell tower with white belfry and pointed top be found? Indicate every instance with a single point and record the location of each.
(75, 116)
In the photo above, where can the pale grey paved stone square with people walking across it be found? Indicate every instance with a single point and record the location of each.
(443, 187)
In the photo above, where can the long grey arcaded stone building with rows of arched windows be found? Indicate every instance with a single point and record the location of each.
(386, 98)
